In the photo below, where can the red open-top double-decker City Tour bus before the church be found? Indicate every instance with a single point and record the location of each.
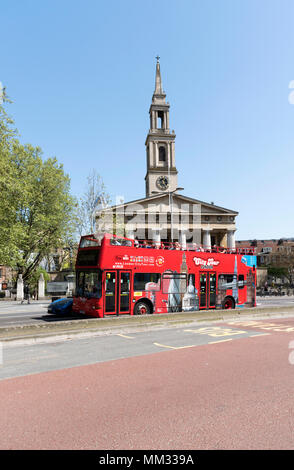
(118, 276)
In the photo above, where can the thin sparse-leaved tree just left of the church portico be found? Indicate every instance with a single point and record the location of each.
(94, 198)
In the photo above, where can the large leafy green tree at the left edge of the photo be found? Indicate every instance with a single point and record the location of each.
(37, 210)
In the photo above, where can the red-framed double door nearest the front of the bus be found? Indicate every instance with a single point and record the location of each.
(117, 292)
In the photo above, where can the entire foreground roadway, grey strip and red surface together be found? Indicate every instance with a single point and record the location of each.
(209, 386)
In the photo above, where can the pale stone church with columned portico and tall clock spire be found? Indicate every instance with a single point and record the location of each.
(165, 214)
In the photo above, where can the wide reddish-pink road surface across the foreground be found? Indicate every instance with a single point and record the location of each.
(231, 395)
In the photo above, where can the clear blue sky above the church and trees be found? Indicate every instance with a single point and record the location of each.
(81, 76)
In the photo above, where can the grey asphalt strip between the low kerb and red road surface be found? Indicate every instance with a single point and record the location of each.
(23, 359)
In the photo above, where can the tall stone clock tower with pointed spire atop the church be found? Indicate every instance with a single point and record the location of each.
(161, 173)
